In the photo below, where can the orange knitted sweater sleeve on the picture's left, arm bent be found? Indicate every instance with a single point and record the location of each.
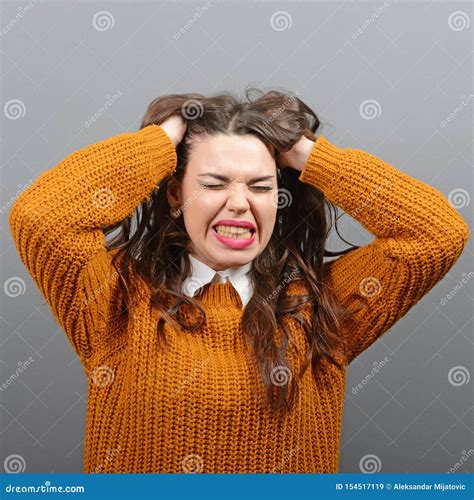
(56, 224)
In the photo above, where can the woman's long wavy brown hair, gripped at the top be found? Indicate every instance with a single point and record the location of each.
(157, 249)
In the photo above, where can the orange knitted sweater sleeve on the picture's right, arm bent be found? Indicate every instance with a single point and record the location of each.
(418, 237)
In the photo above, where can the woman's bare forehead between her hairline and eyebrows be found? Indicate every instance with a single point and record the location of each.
(230, 155)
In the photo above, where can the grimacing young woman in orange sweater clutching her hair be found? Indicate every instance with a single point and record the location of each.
(214, 335)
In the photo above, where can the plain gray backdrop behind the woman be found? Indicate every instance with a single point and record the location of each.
(413, 58)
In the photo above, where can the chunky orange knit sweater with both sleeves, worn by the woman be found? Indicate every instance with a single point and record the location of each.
(192, 409)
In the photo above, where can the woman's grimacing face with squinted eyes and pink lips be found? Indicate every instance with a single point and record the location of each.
(240, 195)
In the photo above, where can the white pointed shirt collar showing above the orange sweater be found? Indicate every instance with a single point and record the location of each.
(202, 274)
